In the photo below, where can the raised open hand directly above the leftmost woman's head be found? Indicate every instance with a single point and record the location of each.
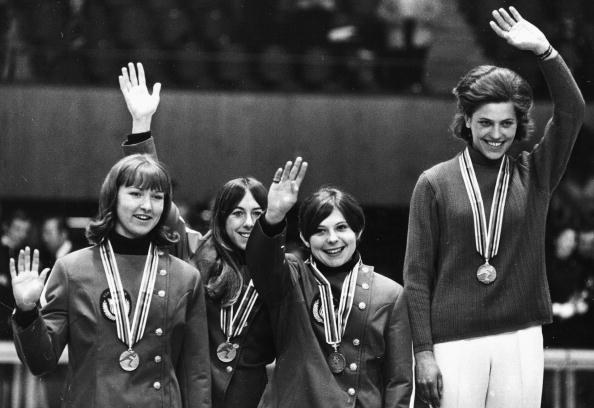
(141, 104)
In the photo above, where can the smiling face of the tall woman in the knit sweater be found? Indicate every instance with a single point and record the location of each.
(493, 127)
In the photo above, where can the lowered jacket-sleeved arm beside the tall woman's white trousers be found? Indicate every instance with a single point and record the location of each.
(398, 373)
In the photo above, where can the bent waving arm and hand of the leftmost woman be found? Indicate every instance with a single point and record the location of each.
(40, 339)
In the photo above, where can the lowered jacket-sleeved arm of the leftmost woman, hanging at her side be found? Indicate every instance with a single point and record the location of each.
(193, 371)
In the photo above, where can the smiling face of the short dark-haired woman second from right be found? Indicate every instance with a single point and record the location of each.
(334, 242)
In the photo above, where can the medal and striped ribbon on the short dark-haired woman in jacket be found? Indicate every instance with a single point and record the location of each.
(335, 322)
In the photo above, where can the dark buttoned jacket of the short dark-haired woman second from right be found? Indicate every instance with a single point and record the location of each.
(377, 342)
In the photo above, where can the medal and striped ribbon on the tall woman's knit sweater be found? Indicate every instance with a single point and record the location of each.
(486, 237)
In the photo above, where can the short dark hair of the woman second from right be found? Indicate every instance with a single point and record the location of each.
(318, 206)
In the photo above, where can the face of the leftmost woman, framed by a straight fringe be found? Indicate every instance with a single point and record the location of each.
(138, 211)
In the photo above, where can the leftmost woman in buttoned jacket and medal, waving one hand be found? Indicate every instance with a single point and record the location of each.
(133, 316)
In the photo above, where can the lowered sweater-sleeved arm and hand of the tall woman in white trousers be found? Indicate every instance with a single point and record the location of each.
(419, 274)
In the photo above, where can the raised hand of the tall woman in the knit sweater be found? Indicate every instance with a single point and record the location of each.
(518, 32)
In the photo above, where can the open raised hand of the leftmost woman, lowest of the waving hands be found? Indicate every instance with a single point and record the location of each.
(27, 284)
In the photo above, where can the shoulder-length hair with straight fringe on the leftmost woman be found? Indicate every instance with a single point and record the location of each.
(141, 171)
